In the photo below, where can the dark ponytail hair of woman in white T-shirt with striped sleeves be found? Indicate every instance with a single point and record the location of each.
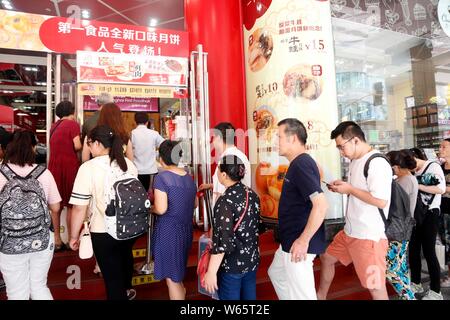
(108, 139)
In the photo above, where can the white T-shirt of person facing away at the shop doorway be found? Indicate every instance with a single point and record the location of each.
(145, 142)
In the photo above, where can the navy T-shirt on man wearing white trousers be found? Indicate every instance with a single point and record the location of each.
(302, 181)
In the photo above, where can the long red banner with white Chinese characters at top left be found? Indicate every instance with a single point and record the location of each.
(23, 31)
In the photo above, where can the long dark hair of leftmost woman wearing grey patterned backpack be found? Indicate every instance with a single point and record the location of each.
(20, 150)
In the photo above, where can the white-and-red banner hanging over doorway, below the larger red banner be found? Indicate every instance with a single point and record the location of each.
(101, 67)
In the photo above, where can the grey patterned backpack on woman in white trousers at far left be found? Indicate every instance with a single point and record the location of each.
(24, 215)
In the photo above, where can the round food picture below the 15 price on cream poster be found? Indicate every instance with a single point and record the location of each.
(303, 81)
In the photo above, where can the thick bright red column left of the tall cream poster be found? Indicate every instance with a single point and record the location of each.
(217, 25)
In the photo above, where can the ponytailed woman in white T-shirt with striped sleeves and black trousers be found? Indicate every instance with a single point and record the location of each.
(115, 257)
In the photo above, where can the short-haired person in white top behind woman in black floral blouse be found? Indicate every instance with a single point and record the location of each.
(223, 141)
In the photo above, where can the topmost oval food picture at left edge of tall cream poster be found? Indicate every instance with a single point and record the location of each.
(260, 48)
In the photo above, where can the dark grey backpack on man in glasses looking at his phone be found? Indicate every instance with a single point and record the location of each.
(399, 223)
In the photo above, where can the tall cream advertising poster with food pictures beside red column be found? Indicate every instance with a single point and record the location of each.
(290, 73)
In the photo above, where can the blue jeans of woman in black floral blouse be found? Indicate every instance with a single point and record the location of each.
(237, 286)
